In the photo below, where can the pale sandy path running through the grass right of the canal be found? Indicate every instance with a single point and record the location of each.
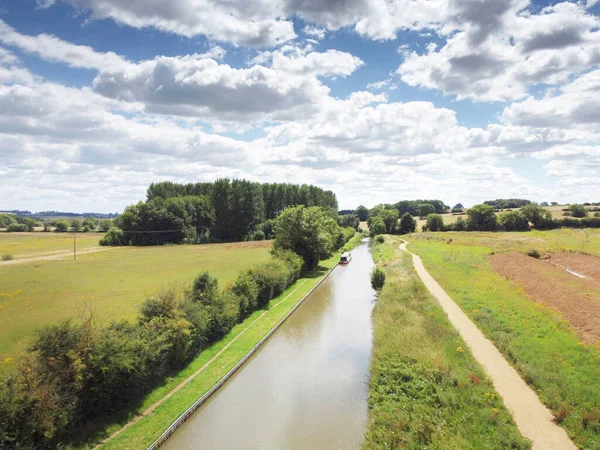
(531, 416)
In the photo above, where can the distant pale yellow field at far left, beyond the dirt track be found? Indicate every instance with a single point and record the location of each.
(28, 245)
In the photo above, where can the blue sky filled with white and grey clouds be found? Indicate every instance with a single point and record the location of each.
(377, 100)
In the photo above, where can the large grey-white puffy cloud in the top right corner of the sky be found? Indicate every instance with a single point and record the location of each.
(498, 57)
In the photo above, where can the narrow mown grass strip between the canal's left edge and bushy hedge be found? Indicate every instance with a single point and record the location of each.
(144, 432)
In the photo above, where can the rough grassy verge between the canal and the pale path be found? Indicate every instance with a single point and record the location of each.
(426, 388)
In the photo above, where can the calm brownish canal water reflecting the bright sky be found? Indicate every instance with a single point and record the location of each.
(307, 387)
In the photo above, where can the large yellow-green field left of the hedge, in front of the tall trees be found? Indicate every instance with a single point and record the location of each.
(114, 283)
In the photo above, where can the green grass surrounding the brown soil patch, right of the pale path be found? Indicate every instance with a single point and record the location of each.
(537, 341)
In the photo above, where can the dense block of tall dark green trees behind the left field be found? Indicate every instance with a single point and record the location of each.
(221, 211)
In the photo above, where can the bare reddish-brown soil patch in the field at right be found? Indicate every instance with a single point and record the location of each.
(577, 299)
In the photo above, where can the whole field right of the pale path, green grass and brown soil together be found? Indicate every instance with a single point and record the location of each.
(529, 310)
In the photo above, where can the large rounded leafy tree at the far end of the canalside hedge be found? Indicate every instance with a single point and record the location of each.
(308, 232)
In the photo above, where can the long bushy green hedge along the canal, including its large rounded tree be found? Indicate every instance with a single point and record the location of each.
(75, 373)
